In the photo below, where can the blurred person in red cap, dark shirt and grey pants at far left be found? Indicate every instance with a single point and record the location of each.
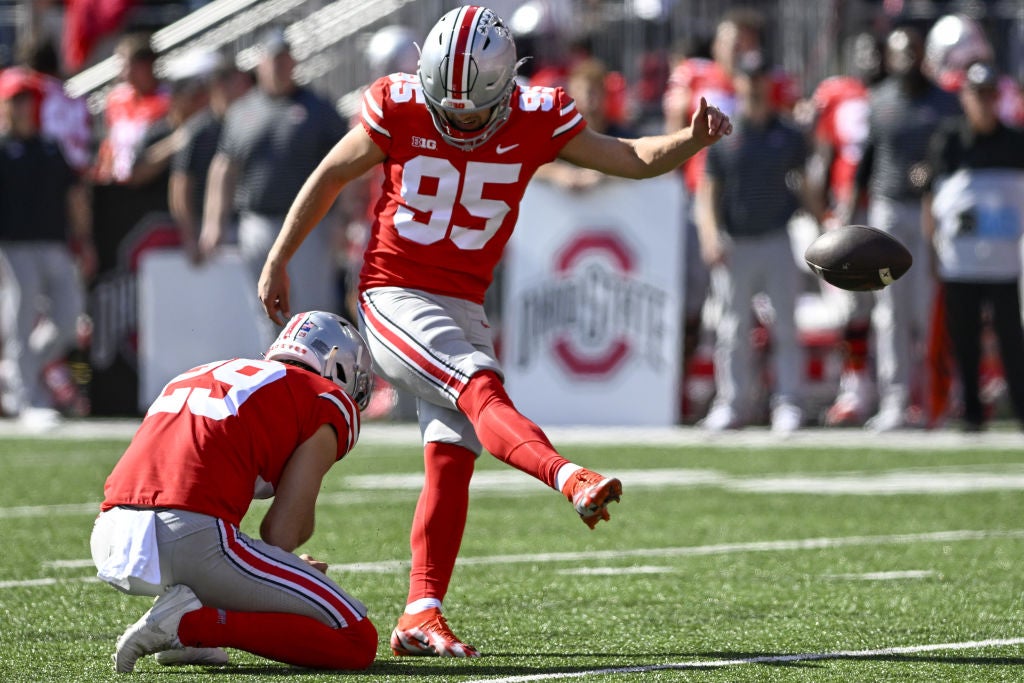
(45, 225)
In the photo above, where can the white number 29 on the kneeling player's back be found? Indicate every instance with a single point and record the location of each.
(239, 378)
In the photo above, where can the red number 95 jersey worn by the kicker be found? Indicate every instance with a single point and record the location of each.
(446, 215)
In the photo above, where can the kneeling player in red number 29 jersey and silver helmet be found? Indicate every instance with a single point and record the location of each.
(217, 437)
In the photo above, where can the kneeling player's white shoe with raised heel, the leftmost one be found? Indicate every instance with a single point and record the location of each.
(158, 630)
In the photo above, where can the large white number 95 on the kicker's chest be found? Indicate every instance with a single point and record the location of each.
(426, 217)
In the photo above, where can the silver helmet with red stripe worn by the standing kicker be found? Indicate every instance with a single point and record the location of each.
(468, 64)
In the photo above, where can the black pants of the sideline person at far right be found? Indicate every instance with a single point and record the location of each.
(964, 304)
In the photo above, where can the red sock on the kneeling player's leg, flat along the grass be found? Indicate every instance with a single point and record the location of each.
(293, 639)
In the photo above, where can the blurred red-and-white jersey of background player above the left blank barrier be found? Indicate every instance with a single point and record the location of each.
(129, 116)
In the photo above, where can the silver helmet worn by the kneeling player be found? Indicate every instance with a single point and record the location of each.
(331, 347)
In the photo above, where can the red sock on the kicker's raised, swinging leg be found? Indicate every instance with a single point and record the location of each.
(505, 433)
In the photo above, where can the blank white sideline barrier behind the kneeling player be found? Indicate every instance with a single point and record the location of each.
(190, 315)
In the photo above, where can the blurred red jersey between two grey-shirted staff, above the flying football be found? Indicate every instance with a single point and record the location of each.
(842, 106)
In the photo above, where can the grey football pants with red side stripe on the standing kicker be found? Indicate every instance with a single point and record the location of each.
(430, 346)
